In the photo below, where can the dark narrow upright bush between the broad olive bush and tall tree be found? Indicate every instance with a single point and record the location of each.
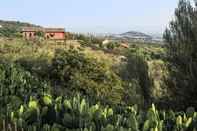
(138, 82)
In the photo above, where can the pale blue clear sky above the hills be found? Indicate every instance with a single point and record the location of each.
(93, 16)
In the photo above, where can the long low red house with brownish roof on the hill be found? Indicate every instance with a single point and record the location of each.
(49, 33)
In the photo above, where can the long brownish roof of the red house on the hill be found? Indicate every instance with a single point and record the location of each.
(35, 29)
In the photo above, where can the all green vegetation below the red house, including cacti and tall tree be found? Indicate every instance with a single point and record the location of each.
(84, 85)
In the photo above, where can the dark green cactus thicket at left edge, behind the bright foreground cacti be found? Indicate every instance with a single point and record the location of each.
(16, 85)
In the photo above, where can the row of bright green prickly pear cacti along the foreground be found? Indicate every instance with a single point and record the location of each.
(76, 113)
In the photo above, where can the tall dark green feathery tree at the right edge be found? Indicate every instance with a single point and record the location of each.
(181, 43)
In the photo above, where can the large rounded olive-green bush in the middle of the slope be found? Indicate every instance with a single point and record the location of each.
(79, 73)
